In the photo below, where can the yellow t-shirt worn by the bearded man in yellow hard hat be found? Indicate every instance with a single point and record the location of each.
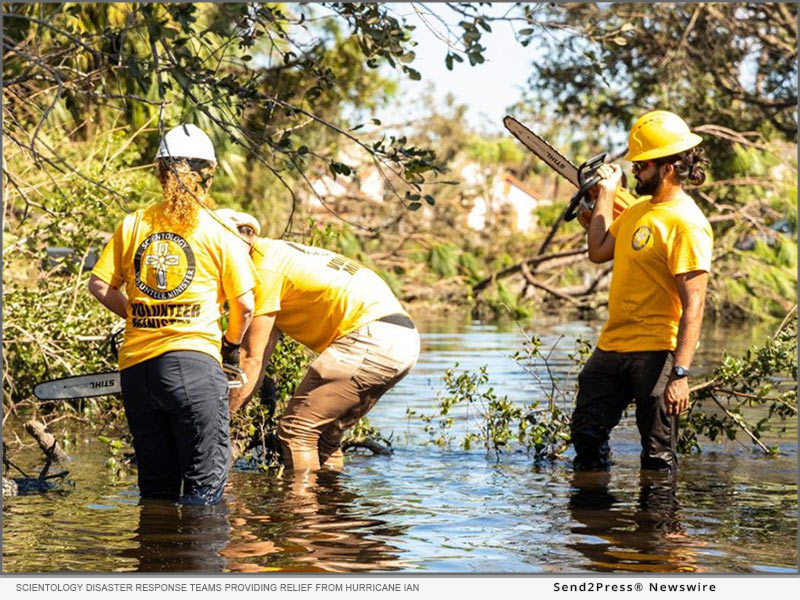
(653, 244)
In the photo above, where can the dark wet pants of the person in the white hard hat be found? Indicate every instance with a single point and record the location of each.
(177, 410)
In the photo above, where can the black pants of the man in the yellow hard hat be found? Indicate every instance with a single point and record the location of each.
(607, 384)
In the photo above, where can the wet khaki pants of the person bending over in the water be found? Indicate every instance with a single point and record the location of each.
(341, 386)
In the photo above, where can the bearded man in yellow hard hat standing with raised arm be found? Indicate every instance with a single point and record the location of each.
(661, 248)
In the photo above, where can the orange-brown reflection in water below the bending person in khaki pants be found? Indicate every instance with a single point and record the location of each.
(313, 523)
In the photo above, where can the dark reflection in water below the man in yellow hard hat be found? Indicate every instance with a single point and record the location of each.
(615, 536)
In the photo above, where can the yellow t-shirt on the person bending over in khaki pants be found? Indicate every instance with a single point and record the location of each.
(318, 296)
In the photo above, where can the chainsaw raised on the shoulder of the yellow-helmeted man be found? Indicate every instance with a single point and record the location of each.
(583, 177)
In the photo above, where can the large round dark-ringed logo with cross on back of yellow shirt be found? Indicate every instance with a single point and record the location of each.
(164, 266)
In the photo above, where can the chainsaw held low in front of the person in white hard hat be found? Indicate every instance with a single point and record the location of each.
(107, 383)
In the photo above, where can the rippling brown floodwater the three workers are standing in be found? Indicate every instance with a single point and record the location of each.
(425, 509)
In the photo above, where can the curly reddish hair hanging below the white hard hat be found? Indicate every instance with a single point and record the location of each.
(185, 185)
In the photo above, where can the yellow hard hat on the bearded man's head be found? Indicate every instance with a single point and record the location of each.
(657, 134)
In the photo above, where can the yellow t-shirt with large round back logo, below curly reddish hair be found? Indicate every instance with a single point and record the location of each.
(176, 284)
